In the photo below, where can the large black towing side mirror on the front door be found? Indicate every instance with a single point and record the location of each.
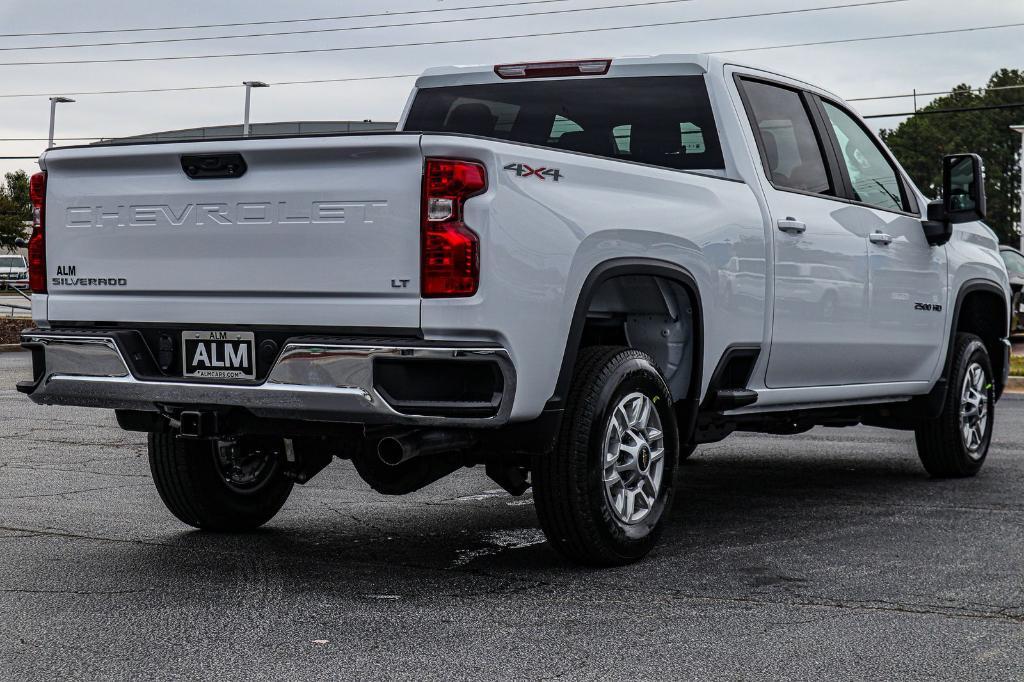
(963, 197)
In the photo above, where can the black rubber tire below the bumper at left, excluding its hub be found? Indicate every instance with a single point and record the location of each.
(193, 488)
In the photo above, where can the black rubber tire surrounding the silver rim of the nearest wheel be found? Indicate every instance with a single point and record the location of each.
(570, 494)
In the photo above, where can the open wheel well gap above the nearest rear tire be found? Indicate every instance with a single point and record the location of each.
(652, 314)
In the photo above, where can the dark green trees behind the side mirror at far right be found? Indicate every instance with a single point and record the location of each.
(921, 142)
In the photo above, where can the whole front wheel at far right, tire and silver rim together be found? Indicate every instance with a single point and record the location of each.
(956, 444)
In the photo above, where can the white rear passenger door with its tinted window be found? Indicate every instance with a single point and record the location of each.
(821, 331)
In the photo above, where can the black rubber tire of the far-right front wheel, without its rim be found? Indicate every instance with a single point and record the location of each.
(942, 443)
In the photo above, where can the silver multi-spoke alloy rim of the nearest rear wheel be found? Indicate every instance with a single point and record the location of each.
(634, 458)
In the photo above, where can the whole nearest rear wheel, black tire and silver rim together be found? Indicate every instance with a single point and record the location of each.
(604, 495)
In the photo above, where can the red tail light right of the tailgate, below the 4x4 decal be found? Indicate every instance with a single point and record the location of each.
(451, 250)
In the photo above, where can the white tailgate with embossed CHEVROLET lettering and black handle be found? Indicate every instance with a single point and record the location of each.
(317, 232)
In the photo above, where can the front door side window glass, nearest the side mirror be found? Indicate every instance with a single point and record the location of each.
(874, 179)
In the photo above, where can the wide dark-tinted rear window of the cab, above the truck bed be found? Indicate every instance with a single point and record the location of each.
(663, 121)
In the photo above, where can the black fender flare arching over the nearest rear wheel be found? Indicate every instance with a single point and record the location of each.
(623, 268)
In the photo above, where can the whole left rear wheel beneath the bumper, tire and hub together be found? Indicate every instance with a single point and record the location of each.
(220, 486)
